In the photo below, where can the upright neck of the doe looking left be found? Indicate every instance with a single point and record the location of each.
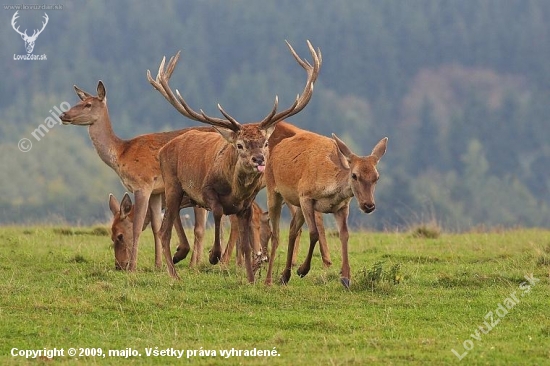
(106, 143)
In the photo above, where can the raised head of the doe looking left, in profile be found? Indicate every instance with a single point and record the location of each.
(89, 109)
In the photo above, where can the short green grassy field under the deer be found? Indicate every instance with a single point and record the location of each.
(457, 298)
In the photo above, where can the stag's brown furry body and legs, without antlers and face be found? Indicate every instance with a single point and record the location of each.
(219, 179)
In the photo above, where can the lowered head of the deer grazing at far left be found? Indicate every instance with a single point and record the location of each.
(122, 229)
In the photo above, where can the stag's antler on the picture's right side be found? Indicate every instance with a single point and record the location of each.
(301, 100)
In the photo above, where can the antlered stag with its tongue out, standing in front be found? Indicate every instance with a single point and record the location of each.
(226, 173)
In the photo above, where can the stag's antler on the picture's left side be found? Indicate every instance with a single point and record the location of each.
(161, 84)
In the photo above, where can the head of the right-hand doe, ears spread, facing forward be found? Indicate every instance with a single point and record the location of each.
(363, 174)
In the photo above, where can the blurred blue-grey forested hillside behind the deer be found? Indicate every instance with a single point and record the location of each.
(461, 88)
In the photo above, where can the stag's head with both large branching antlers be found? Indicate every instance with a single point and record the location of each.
(248, 140)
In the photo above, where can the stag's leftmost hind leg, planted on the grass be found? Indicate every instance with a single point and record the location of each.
(174, 195)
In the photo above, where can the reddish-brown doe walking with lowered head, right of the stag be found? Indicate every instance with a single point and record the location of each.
(316, 174)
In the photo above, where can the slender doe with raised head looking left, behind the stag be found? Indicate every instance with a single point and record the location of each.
(136, 163)
